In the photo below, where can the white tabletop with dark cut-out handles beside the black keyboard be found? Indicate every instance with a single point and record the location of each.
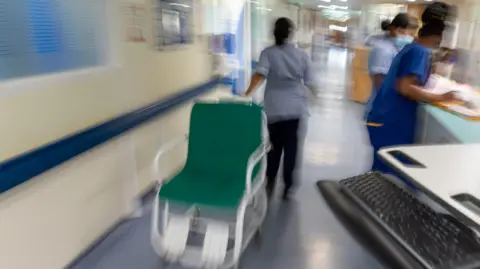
(449, 170)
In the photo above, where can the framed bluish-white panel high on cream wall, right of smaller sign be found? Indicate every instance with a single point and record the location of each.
(173, 23)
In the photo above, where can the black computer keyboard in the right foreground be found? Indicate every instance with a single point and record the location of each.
(437, 240)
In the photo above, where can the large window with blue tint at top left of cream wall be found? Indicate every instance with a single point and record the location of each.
(46, 36)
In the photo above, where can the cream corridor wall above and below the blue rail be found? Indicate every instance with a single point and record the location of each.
(51, 219)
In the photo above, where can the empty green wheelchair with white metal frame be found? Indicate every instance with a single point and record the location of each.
(224, 172)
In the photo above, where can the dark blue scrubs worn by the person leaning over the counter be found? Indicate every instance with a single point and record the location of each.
(393, 117)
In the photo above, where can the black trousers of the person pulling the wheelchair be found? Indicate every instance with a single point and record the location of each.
(284, 137)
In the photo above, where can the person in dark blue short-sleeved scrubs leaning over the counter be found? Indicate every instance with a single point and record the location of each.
(393, 116)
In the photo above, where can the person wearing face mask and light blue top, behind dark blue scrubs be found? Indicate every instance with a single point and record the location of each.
(384, 51)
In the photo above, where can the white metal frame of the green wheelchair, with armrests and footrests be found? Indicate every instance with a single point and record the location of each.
(243, 231)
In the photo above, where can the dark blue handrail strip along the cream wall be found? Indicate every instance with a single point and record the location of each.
(22, 168)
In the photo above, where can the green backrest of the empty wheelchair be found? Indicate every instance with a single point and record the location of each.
(222, 137)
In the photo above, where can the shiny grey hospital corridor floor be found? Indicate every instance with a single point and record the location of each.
(301, 233)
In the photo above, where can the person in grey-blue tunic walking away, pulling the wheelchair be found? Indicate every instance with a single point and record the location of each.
(287, 70)
